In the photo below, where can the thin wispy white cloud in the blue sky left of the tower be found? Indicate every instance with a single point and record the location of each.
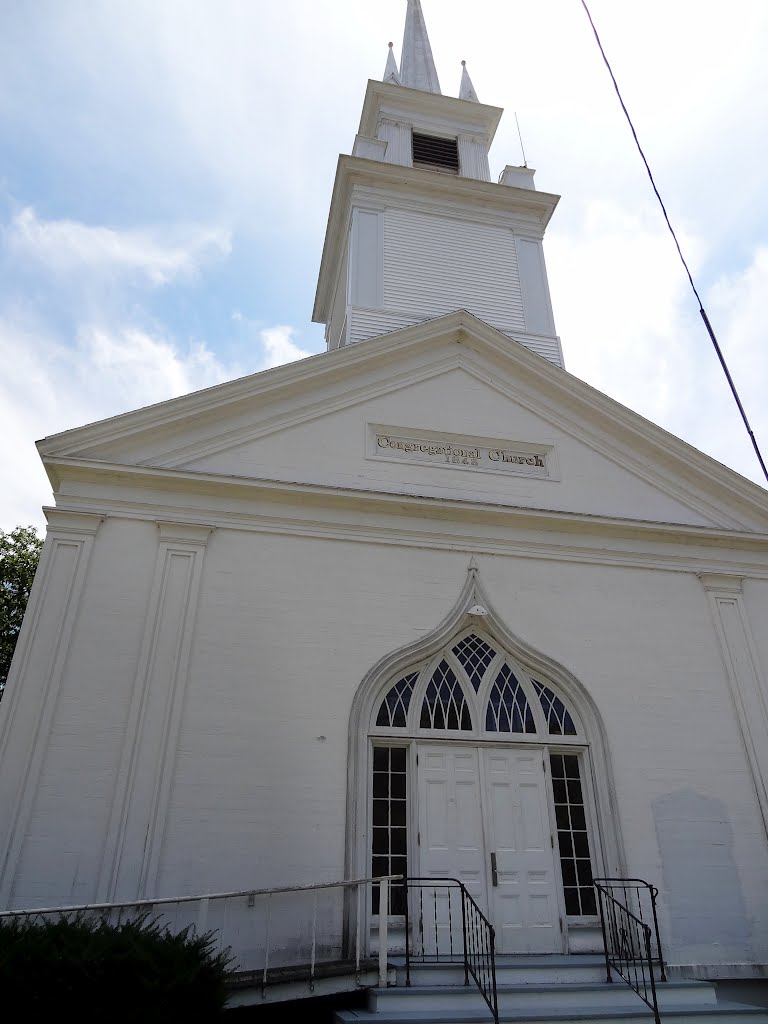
(157, 257)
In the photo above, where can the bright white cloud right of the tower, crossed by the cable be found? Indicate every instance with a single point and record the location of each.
(630, 327)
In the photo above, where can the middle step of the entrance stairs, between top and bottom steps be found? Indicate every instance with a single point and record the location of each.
(517, 999)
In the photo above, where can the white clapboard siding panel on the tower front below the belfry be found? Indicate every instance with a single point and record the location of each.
(434, 266)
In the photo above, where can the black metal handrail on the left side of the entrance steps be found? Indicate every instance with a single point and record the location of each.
(438, 940)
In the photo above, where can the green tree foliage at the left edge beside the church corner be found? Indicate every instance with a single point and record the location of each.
(20, 552)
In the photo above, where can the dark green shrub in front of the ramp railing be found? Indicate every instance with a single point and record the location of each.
(92, 971)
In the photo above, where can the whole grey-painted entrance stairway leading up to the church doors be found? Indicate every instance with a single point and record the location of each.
(549, 990)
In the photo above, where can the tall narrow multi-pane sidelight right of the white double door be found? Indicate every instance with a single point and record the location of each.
(572, 835)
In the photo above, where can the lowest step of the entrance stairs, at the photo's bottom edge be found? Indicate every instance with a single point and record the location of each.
(722, 1013)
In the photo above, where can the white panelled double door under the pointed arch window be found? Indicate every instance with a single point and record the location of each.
(485, 820)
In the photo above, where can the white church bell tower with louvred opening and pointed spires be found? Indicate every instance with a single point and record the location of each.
(418, 230)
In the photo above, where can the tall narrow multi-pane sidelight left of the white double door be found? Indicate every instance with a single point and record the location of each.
(390, 854)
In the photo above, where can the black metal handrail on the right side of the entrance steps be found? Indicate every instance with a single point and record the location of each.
(627, 940)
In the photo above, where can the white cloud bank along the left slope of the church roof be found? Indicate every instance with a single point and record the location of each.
(111, 370)
